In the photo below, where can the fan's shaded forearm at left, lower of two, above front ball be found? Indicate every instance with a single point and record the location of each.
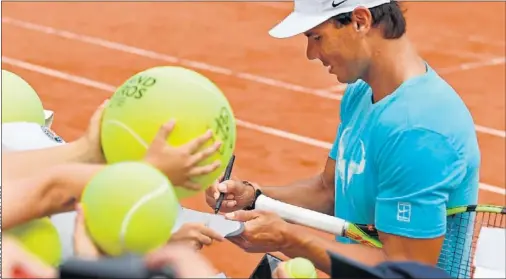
(45, 194)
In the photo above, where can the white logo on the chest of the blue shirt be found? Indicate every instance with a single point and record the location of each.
(347, 169)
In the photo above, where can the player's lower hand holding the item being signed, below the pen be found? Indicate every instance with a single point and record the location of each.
(264, 231)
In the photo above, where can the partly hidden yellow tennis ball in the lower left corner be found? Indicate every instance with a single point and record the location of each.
(41, 238)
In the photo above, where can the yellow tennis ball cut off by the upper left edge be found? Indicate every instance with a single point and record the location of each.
(20, 102)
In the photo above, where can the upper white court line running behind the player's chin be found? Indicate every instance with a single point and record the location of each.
(195, 64)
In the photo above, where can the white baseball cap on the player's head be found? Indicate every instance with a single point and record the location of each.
(308, 14)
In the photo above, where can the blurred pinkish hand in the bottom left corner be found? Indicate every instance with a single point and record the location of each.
(19, 263)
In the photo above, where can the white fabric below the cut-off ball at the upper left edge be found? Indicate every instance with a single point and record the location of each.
(19, 136)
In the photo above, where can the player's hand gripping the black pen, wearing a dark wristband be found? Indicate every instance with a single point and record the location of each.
(238, 195)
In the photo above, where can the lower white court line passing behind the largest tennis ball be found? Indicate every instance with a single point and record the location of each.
(240, 123)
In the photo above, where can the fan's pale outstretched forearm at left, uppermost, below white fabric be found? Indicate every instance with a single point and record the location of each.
(34, 162)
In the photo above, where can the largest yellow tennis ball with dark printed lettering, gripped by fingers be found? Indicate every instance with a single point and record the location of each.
(151, 98)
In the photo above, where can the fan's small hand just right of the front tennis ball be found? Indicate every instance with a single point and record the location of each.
(195, 235)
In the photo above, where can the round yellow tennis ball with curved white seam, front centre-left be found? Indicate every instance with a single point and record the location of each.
(129, 207)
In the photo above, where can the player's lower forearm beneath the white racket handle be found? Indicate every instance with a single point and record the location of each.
(315, 249)
